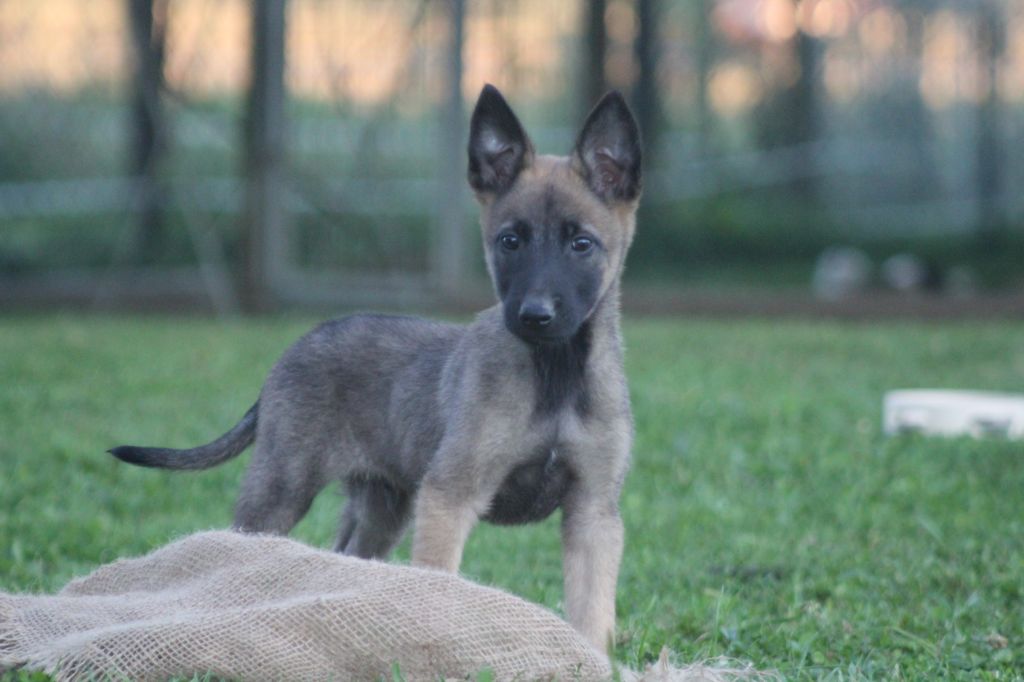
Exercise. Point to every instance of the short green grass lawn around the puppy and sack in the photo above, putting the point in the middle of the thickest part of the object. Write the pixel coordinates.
(767, 517)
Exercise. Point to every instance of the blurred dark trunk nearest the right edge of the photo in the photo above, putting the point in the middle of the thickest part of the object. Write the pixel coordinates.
(992, 38)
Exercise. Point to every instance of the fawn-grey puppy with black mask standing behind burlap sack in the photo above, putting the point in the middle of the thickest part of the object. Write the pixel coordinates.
(525, 411)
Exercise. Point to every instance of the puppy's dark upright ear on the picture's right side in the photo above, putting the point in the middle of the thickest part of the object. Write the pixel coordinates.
(609, 151)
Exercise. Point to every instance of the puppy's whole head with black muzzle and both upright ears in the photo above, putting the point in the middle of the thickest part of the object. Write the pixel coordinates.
(546, 250)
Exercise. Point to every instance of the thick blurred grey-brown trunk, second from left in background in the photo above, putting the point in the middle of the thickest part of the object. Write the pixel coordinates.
(265, 227)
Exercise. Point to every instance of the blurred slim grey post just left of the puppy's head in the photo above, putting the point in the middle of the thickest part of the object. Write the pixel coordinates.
(450, 231)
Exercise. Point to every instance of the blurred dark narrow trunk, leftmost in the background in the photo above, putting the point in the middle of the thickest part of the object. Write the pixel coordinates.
(149, 23)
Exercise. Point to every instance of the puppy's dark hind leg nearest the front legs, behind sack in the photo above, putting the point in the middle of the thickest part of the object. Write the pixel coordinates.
(374, 520)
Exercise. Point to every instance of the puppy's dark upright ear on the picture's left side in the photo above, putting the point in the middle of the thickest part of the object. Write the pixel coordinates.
(499, 148)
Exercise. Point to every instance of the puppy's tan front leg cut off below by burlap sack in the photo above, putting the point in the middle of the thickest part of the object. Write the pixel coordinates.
(442, 528)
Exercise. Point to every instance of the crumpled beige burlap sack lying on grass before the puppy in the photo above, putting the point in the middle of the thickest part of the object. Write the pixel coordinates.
(270, 609)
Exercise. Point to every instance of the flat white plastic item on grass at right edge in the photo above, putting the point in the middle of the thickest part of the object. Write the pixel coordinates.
(949, 413)
